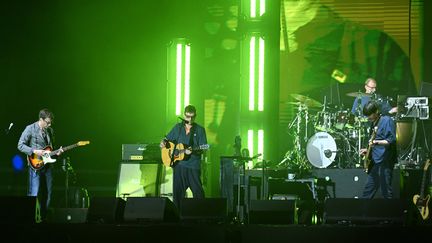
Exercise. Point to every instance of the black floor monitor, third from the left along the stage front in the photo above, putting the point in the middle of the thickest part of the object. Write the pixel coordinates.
(106, 210)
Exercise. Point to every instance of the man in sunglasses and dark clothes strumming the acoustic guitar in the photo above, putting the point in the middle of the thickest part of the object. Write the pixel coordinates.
(187, 172)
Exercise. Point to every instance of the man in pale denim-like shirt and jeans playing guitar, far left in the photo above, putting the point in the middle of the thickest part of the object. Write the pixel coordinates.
(33, 140)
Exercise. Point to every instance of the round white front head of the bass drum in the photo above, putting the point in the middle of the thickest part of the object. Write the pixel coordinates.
(321, 150)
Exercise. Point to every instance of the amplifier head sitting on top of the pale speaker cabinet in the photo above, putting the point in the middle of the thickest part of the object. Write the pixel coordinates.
(141, 152)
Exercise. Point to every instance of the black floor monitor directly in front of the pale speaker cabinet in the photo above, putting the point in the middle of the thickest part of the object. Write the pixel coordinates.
(150, 209)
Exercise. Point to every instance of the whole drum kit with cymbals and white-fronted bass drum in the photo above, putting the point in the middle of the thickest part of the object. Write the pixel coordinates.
(328, 136)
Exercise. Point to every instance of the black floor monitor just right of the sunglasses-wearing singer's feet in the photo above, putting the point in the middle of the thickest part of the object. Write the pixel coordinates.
(206, 210)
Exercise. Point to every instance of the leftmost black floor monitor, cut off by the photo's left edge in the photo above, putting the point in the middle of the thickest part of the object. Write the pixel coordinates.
(19, 209)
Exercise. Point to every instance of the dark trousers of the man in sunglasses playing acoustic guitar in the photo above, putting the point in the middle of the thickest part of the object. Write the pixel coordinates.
(183, 179)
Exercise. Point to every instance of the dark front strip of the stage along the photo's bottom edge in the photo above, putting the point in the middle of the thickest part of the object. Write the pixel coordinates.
(164, 232)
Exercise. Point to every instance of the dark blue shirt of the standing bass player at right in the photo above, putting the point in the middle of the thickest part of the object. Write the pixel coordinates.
(386, 131)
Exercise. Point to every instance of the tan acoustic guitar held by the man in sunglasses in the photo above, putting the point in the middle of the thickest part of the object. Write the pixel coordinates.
(172, 153)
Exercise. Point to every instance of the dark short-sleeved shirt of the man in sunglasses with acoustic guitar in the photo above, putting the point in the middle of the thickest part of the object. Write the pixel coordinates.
(178, 135)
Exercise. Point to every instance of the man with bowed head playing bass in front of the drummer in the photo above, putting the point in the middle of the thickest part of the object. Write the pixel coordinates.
(383, 153)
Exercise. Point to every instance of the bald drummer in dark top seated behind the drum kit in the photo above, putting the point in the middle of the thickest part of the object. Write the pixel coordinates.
(370, 93)
